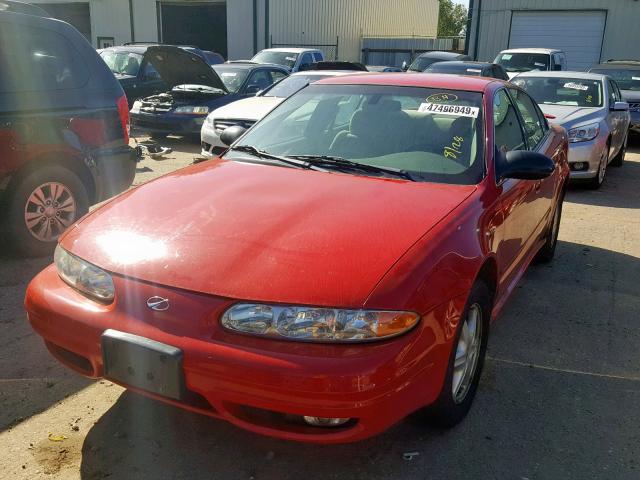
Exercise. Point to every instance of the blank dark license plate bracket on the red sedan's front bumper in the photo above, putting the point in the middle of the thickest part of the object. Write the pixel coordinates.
(143, 363)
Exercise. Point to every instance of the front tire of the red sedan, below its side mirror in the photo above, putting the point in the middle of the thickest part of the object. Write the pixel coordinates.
(450, 408)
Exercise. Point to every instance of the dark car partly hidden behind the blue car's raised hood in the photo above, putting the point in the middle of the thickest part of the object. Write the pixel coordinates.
(137, 74)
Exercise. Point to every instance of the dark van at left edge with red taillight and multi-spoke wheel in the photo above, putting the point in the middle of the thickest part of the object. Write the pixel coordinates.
(64, 140)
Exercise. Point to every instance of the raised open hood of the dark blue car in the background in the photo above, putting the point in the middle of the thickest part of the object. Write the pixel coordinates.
(179, 67)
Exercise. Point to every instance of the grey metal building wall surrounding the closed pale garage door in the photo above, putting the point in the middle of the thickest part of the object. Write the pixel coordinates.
(621, 36)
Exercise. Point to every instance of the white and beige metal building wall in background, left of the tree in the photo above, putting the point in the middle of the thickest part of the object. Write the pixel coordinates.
(290, 22)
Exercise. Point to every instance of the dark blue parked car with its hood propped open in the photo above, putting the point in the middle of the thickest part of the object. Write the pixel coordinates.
(194, 90)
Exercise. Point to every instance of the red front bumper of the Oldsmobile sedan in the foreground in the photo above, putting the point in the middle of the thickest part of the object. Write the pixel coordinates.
(257, 384)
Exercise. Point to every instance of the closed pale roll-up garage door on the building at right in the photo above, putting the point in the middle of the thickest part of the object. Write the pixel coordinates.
(579, 33)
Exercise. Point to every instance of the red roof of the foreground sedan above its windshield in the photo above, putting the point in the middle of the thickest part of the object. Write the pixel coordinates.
(431, 80)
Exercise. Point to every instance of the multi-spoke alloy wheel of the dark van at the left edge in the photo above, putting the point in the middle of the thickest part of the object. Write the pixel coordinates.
(49, 211)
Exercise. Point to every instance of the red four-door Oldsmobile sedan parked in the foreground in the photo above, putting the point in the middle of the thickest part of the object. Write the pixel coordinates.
(337, 269)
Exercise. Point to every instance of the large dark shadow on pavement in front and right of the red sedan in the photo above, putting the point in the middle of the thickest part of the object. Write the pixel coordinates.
(527, 421)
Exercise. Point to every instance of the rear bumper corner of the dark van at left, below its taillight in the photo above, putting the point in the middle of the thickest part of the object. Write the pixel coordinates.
(114, 171)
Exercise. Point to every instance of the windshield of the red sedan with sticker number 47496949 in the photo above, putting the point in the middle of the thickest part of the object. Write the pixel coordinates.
(429, 134)
